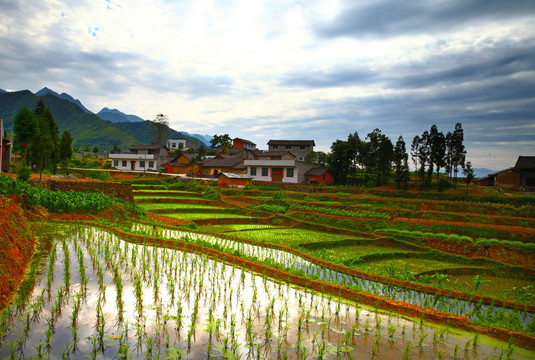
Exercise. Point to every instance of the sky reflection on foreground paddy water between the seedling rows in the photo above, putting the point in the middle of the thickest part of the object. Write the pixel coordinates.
(254, 294)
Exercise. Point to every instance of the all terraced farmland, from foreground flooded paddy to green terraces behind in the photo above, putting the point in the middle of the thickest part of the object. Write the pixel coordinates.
(269, 273)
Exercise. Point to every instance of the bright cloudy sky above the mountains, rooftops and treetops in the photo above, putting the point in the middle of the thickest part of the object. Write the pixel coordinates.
(289, 69)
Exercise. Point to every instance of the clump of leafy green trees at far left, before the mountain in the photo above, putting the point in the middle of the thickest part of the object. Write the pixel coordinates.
(37, 139)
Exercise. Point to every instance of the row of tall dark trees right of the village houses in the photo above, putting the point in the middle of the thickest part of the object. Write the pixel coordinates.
(375, 160)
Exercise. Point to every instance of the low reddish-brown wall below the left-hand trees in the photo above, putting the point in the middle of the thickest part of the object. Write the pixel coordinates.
(122, 191)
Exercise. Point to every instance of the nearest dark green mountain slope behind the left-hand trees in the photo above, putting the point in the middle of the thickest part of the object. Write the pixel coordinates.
(86, 129)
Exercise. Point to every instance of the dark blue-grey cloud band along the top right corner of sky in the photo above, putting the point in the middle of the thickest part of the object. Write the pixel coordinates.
(383, 18)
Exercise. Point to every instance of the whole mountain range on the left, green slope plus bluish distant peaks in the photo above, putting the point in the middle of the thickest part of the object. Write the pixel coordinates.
(85, 127)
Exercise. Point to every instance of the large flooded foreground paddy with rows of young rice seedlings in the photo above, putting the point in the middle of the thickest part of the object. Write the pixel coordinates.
(97, 296)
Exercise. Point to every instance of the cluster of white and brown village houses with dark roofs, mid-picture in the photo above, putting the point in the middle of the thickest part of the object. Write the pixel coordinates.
(283, 162)
